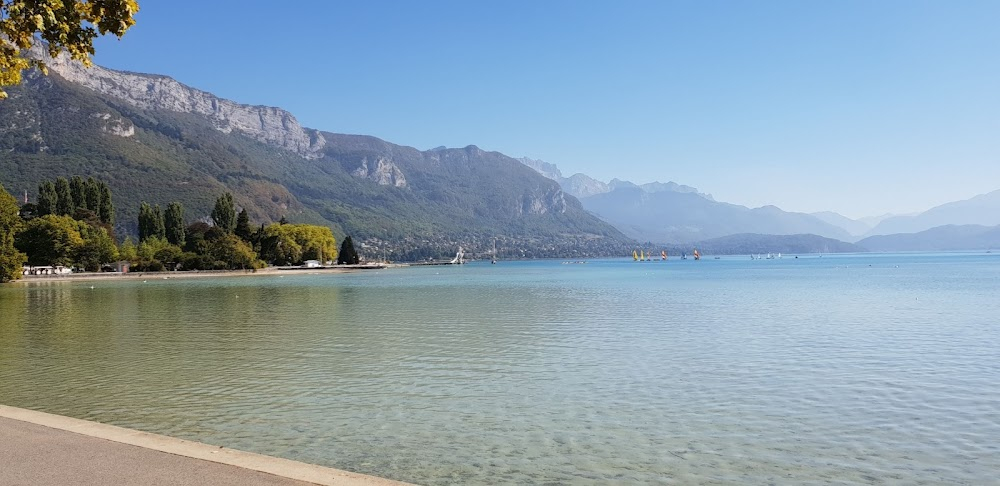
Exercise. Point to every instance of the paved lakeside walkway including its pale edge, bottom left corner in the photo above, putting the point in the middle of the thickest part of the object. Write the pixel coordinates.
(41, 449)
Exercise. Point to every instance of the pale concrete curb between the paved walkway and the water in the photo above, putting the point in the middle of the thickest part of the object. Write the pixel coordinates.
(247, 460)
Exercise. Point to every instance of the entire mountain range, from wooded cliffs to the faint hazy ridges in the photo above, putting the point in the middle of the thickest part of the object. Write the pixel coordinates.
(154, 139)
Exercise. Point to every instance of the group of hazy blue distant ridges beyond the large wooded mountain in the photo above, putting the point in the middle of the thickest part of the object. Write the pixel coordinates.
(675, 213)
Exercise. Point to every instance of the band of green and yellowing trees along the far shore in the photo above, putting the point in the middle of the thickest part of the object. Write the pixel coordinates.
(72, 226)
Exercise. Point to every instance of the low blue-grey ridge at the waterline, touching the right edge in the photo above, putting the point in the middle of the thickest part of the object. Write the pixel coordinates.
(941, 238)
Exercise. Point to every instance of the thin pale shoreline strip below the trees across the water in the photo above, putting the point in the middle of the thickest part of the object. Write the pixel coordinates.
(170, 275)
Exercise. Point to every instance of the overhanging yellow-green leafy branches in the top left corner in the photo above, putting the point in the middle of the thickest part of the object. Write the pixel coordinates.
(64, 25)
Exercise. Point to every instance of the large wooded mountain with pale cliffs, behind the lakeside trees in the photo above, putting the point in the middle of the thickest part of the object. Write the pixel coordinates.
(154, 139)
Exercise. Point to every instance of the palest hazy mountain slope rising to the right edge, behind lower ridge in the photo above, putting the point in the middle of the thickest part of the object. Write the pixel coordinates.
(983, 209)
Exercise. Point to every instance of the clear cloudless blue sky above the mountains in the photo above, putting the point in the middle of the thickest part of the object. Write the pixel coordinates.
(861, 107)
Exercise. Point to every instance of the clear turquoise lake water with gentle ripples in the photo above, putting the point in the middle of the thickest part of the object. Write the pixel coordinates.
(840, 369)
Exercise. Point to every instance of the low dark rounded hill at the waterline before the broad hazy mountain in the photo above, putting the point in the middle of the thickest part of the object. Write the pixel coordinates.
(761, 244)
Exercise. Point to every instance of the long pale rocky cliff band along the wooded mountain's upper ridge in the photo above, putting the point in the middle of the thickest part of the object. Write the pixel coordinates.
(272, 126)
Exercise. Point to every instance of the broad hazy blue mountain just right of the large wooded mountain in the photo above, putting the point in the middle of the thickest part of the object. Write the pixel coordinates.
(685, 217)
